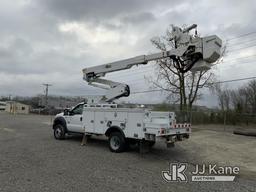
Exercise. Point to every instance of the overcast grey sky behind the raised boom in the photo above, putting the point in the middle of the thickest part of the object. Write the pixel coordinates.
(51, 41)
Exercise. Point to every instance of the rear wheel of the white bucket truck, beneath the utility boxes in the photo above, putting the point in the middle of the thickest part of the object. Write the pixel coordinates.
(116, 142)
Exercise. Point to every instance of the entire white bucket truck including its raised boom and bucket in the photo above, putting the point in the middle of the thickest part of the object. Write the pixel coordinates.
(100, 116)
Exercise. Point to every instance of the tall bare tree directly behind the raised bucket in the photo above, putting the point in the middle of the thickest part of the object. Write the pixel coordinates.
(183, 88)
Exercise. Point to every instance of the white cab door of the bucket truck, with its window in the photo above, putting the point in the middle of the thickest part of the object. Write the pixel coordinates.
(75, 119)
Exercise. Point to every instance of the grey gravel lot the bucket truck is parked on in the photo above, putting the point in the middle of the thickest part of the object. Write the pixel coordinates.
(32, 160)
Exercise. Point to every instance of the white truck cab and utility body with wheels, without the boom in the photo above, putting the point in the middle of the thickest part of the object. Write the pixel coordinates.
(133, 125)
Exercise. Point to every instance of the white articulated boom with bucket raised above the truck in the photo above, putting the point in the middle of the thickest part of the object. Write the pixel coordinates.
(191, 53)
